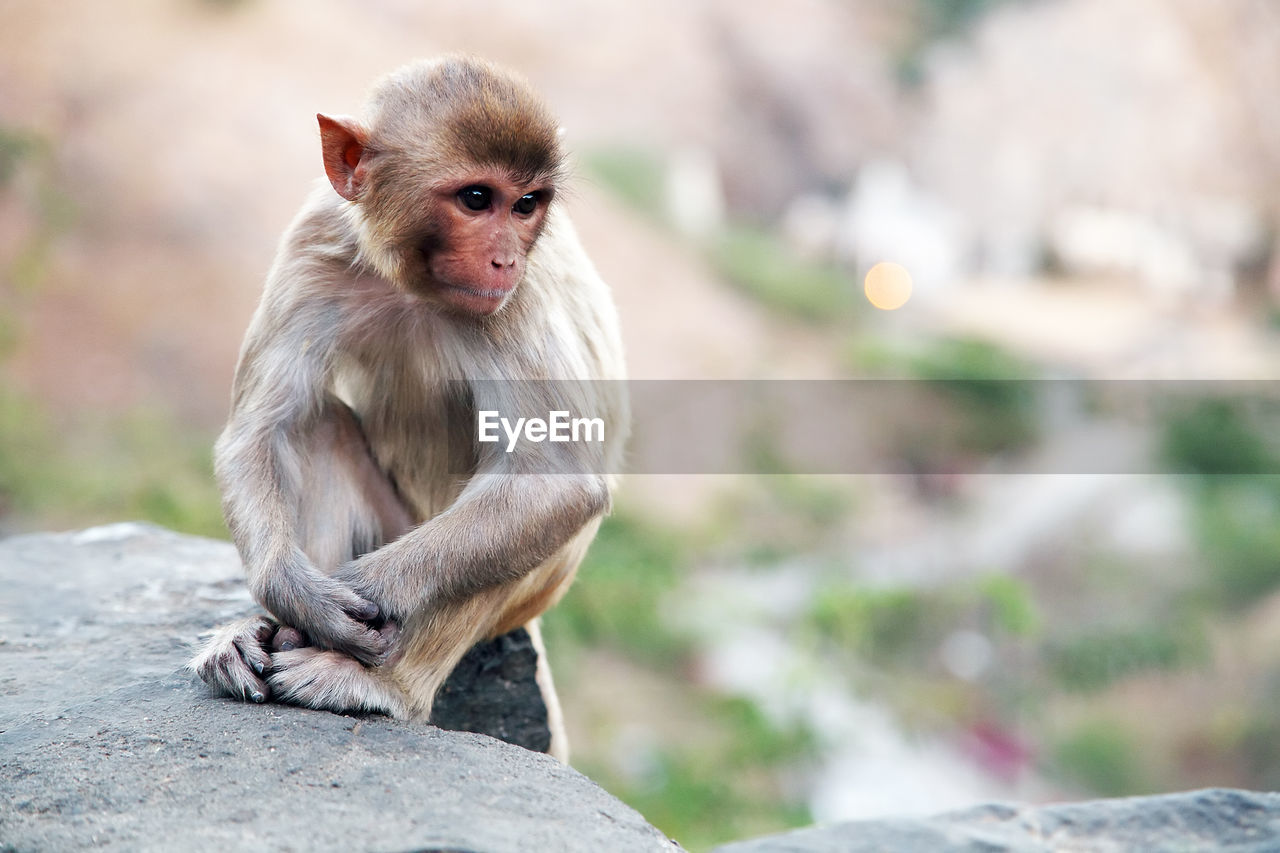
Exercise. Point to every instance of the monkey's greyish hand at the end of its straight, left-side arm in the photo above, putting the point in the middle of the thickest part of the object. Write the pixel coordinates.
(327, 612)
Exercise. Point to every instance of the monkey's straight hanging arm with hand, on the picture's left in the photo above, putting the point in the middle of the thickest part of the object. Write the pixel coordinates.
(262, 462)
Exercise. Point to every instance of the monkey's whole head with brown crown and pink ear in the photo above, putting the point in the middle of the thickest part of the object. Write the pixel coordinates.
(450, 180)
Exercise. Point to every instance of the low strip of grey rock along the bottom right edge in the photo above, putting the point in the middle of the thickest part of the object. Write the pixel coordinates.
(1214, 820)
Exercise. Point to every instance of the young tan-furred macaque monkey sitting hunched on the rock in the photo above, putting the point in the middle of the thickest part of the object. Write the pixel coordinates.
(435, 276)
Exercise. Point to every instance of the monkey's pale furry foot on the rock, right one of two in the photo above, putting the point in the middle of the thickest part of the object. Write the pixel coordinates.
(332, 682)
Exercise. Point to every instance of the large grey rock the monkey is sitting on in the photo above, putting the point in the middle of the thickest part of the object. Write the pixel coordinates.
(107, 741)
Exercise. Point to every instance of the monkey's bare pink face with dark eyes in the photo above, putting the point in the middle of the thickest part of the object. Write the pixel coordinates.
(487, 227)
